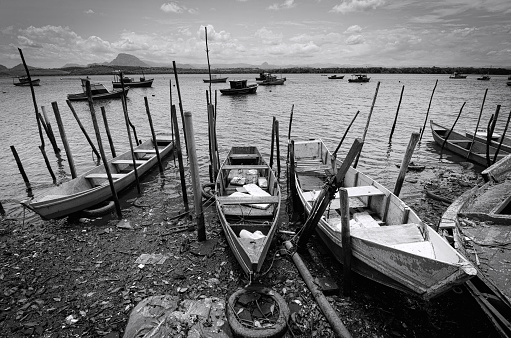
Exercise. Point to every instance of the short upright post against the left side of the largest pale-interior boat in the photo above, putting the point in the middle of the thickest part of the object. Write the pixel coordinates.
(346, 241)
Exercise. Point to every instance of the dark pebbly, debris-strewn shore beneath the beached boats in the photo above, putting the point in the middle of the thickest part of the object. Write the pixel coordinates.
(82, 277)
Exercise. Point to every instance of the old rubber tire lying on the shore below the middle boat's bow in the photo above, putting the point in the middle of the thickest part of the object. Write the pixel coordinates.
(277, 330)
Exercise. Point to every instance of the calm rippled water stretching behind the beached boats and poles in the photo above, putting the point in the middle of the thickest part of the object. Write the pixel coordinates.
(322, 108)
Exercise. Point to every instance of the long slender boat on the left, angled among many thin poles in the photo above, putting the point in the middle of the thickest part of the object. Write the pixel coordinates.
(92, 187)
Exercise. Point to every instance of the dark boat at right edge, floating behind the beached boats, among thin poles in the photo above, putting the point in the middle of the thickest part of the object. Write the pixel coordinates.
(462, 145)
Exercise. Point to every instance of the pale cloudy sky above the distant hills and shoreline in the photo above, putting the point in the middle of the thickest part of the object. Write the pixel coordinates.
(389, 33)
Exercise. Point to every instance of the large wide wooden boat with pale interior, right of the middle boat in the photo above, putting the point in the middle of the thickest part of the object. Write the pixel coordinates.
(390, 243)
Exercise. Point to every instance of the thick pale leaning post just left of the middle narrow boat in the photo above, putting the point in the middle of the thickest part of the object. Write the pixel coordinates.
(194, 169)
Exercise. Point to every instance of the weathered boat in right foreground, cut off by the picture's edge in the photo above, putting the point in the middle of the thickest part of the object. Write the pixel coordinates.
(478, 225)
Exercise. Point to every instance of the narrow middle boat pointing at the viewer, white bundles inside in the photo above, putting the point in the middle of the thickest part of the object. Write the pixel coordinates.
(248, 205)
